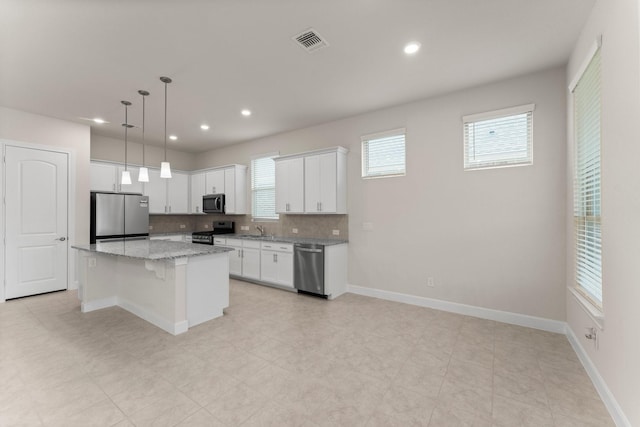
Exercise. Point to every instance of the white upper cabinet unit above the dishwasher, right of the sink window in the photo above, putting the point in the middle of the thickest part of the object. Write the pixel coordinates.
(321, 174)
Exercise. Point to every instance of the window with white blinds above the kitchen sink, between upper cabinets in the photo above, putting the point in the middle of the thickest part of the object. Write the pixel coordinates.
(263, 187)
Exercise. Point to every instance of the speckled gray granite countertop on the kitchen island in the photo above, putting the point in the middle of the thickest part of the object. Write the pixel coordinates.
(151, 249)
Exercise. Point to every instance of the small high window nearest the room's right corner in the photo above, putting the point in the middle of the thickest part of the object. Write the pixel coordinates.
(498, 138)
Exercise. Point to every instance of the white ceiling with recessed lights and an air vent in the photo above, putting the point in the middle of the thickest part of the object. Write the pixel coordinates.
(77, 59)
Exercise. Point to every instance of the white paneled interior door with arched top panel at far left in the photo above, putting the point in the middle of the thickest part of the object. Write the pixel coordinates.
(36, 246)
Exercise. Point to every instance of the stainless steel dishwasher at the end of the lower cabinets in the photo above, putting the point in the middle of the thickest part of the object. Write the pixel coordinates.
(308, 268)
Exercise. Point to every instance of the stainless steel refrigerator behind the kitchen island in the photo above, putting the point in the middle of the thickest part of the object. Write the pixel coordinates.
(118, 216)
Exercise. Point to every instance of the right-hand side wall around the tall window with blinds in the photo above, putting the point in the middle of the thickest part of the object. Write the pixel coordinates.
(617, 358)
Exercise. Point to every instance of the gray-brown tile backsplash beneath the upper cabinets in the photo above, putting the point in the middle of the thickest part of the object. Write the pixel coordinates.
(317, 226)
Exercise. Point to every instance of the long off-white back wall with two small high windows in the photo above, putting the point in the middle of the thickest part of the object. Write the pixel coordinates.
(491, 238)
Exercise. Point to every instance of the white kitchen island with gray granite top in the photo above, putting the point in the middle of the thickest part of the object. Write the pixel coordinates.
(172, 285)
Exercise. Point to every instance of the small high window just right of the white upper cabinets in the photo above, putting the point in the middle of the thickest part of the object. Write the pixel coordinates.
(383, 154)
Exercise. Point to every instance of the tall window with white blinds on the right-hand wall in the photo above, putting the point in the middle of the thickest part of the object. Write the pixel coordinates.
(586, 196)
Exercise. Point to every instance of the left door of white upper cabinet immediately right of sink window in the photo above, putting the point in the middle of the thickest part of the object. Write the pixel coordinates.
(290, 185)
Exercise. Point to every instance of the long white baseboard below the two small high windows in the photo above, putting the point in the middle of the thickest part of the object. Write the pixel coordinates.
(464, 309)
